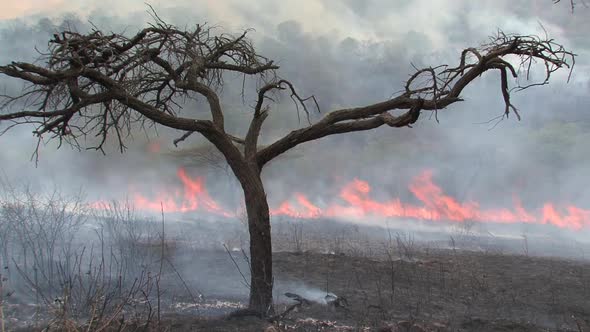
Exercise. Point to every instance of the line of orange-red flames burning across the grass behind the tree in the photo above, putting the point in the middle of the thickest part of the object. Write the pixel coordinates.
(354, 202)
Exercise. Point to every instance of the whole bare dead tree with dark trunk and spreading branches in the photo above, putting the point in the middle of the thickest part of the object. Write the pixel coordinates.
(107, 84)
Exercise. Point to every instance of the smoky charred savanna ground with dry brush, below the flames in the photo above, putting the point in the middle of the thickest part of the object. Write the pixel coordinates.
(348, 277)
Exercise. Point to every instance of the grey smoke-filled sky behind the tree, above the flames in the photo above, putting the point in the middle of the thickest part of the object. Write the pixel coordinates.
(359, 53)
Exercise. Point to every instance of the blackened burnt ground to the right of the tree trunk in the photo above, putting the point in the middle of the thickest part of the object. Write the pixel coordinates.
(448, 290)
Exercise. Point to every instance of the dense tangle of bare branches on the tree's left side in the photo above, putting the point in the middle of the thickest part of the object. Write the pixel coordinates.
(147, 73)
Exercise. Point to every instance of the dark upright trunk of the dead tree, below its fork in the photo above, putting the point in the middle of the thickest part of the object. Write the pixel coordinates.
(261, 280)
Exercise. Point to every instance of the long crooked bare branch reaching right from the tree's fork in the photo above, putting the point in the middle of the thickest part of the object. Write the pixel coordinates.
(443, 88)
